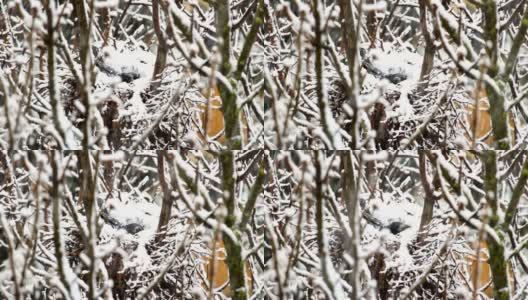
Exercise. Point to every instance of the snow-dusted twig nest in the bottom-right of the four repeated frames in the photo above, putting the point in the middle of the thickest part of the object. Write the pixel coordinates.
(430, 271)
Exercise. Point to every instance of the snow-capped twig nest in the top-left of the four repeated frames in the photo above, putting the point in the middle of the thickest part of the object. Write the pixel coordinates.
(132, 108)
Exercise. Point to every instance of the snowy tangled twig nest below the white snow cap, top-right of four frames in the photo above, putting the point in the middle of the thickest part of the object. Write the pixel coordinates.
(403, 112)
